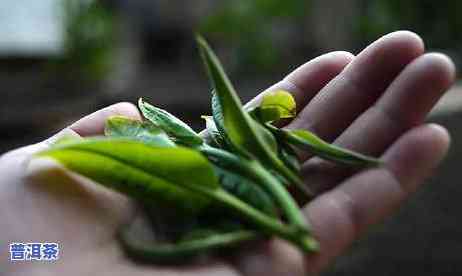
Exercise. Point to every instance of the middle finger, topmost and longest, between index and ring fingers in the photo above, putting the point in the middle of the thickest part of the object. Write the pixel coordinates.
(359, 85)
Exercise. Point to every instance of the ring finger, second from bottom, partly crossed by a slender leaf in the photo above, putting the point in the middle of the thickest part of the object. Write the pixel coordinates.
(405, 104)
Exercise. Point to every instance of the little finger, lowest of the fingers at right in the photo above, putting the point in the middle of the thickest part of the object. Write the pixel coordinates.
(340, 215)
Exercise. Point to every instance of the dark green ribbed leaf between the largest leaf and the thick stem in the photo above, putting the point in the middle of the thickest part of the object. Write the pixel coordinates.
(246, 190)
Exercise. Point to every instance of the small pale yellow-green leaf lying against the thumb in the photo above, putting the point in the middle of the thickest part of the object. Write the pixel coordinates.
(120, 126)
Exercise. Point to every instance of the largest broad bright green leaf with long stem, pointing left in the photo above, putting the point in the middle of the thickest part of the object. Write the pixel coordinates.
(176, 177)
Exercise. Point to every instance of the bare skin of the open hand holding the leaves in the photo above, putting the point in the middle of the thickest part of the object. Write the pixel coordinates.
(374, 103)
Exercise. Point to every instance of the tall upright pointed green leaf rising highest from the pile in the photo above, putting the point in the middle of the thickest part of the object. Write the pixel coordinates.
(250, 138)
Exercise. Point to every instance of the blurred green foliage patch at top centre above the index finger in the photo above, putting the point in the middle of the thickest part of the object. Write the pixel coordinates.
(248, 25)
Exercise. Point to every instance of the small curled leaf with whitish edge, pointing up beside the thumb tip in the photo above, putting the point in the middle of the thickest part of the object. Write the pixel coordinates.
(174, 127)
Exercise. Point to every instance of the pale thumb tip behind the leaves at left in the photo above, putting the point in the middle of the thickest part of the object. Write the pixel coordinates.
(93, 124)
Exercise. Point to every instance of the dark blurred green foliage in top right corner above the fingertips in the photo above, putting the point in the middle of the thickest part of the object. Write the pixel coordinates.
(438, 22)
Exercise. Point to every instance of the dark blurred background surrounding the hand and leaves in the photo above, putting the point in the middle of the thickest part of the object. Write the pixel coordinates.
(62, 59)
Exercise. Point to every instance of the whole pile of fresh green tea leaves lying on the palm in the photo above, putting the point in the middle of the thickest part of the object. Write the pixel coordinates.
(210, 190)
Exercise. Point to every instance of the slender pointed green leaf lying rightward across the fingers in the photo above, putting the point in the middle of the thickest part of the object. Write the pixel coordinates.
(306, 140)
